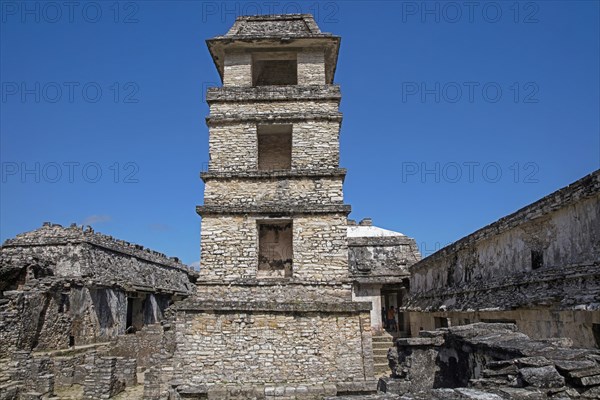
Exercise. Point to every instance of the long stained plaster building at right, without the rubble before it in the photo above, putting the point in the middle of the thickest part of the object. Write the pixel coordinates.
(538, 267)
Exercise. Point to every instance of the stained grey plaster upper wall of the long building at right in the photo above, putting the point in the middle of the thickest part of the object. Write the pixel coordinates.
(568, 234)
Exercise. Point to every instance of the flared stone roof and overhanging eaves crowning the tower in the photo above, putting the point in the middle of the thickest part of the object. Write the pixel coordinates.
(261, 35)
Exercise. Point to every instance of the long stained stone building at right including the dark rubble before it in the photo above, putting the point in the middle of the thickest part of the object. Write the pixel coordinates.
(515, 307)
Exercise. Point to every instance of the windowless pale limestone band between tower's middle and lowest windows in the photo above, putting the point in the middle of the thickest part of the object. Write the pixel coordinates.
(239, 192)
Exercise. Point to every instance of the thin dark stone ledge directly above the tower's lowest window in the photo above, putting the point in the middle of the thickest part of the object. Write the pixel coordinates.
(282, 210)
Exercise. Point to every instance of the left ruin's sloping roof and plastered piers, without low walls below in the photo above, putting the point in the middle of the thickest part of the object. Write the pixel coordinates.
(70, 286)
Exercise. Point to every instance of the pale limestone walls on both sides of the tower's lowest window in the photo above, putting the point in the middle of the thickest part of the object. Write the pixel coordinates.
(230, 248)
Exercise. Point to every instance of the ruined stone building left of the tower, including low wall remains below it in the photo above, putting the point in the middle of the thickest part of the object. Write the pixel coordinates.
(65, 294)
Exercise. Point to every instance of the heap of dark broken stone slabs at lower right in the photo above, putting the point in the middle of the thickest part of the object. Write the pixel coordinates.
(494, 358)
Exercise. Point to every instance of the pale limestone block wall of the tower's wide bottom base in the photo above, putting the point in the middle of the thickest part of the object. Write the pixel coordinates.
(284, 348)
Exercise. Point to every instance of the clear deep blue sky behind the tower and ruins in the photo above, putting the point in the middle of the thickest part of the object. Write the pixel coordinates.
(454, 115)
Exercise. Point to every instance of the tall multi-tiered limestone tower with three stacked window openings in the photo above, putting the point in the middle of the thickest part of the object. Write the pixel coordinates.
(273, 308)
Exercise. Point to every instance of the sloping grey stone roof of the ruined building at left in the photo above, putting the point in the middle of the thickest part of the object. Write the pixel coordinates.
(79, 252)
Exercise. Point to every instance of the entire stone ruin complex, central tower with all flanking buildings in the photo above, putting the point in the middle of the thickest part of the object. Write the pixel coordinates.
(287, 304)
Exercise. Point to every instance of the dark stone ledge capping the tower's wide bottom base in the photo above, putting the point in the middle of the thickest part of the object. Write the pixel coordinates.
(296, 306)
